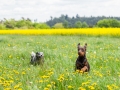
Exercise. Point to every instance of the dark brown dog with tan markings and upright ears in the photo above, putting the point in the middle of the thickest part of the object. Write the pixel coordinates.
(81, 62)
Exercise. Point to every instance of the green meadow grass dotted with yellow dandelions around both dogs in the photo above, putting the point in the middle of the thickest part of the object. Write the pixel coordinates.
(57, 73)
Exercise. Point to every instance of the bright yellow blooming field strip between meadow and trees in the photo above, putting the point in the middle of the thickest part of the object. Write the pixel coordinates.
(87, 31)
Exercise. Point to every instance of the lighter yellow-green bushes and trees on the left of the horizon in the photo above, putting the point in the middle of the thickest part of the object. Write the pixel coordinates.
(22, 24)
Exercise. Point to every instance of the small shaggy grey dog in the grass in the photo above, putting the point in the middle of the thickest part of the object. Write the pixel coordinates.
(37, 58)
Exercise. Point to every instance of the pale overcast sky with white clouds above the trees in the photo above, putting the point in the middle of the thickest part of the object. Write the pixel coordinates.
(43, 9)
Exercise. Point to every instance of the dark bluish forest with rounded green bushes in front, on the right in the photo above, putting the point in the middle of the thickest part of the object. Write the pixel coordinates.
(84, 22)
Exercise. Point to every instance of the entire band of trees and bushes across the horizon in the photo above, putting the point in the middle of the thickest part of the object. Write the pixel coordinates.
(64, 21)
